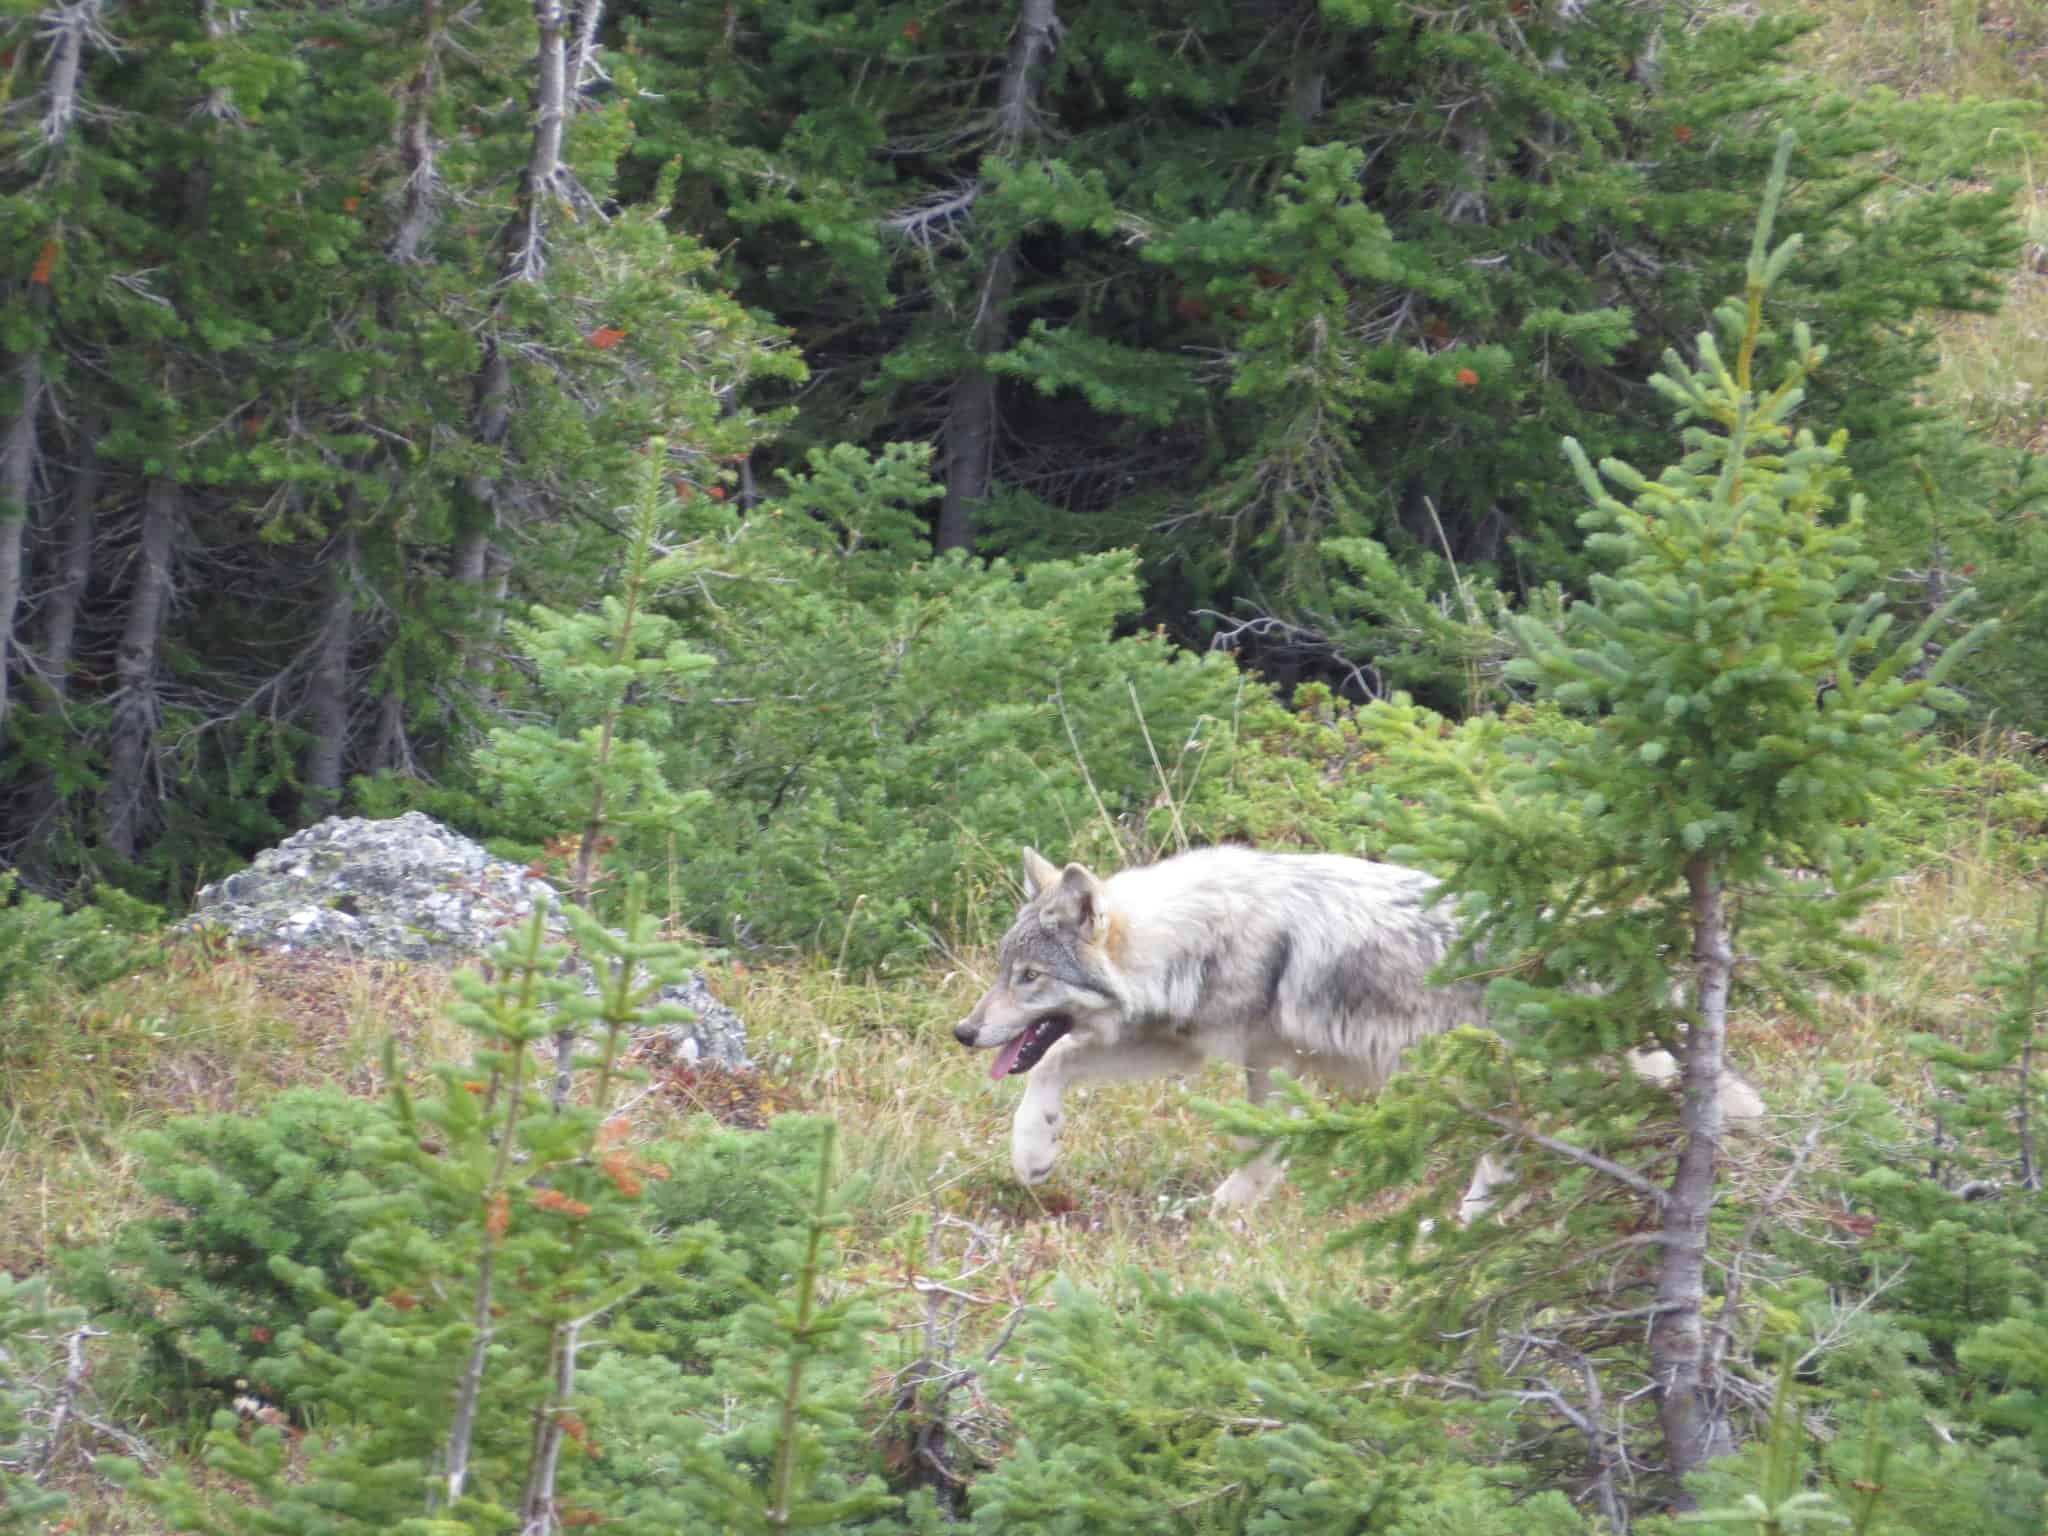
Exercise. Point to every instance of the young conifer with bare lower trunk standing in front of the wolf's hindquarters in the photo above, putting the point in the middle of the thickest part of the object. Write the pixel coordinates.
(1725, 708)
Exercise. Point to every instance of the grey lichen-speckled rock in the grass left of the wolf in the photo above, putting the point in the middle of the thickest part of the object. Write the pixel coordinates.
(411, 890)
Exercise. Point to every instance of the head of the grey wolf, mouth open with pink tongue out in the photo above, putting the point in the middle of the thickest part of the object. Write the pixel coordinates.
(1054, 974)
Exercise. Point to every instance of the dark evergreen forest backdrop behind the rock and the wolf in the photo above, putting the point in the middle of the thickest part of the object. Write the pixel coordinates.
(341, 331)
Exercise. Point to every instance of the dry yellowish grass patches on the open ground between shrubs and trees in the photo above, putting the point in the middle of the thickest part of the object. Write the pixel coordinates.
(923, 1125)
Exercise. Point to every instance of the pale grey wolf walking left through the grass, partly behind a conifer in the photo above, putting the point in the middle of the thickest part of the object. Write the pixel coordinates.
(1314, 964)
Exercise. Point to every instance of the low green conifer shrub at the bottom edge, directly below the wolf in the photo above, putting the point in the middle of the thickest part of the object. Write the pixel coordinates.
(1230, 1414)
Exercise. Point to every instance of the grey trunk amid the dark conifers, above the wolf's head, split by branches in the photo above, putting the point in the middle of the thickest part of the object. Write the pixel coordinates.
(972, 419)
